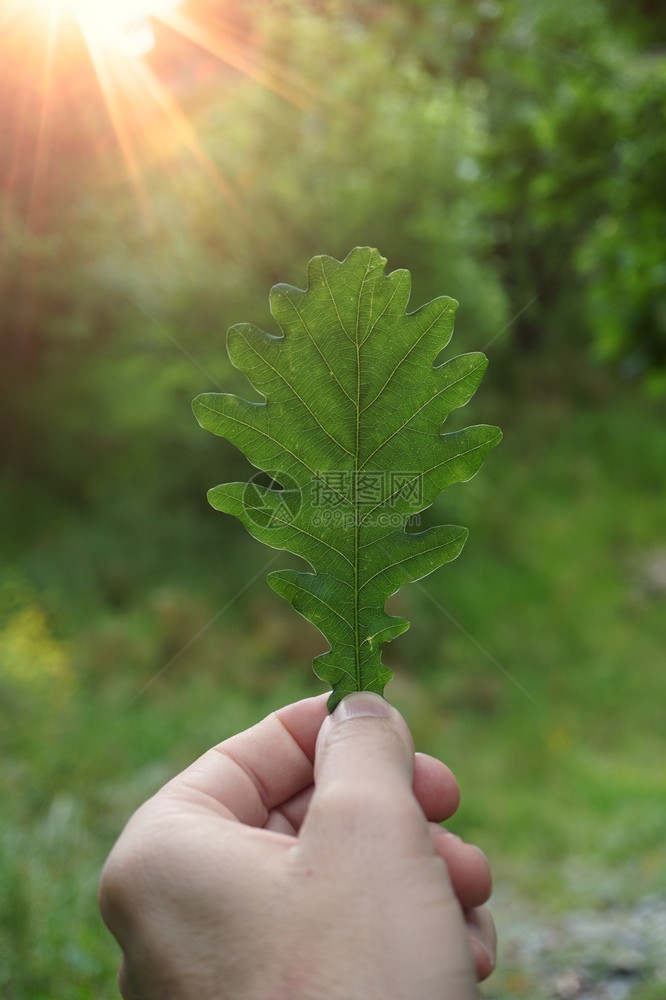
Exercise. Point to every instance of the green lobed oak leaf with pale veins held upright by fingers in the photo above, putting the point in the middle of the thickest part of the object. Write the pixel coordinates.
(351, 434)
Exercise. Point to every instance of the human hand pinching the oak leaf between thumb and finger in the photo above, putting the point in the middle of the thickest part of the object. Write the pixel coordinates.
(257, 874)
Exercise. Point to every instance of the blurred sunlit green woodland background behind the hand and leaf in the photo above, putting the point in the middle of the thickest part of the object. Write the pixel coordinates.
(161, 166)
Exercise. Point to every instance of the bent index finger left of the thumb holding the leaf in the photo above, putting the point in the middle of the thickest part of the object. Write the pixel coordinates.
(248, 775)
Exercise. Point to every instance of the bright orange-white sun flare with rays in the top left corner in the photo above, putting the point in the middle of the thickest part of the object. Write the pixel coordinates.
(77, 51)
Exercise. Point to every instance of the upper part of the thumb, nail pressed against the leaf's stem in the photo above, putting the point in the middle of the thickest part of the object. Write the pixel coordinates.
(364, 763)
